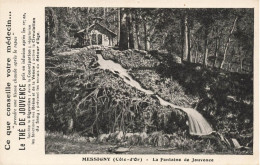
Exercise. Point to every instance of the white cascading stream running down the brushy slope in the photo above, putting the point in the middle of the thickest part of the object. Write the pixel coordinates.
(198, 125)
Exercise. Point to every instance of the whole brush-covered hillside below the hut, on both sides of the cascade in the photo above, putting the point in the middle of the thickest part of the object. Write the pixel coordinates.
(87, 102)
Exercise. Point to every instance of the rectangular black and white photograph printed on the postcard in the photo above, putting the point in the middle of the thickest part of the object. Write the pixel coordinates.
(172, 81)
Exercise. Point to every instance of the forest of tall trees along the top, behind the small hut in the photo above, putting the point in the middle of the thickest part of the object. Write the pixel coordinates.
(209, 33)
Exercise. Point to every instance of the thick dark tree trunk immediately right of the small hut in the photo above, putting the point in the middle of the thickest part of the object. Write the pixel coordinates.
(123, 42)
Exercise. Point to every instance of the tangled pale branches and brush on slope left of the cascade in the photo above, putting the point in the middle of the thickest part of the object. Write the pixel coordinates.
(78, 98)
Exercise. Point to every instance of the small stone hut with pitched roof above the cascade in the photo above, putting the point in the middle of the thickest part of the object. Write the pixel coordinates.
(96, 34)
